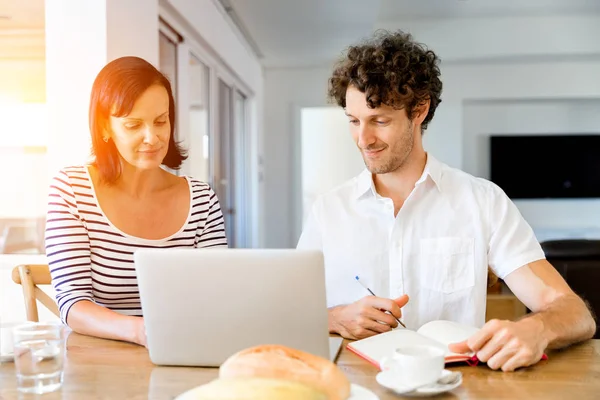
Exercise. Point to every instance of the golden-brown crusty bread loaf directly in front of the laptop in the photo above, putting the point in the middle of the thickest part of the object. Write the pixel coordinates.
(280, 362)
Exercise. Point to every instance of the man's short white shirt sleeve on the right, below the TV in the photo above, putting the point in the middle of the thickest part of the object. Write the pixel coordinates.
(512, 241)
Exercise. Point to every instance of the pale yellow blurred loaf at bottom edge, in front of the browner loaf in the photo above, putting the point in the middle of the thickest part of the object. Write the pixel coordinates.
(253, 389)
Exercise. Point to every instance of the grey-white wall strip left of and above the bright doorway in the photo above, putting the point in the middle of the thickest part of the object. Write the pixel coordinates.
(286, 92)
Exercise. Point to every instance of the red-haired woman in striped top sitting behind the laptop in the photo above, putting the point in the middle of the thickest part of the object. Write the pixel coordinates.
(99, 214)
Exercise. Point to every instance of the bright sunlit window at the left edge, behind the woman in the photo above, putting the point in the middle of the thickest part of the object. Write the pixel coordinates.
(24, 181)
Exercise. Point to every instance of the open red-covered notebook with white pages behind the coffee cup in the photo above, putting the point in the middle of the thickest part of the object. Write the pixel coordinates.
(435, 333)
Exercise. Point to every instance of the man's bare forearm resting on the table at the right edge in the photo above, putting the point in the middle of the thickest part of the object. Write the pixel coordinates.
(565, 321)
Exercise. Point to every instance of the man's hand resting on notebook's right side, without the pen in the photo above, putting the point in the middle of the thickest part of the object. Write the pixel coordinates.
(506, 345)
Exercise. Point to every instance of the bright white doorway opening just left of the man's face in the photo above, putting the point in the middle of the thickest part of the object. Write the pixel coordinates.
(329, 154)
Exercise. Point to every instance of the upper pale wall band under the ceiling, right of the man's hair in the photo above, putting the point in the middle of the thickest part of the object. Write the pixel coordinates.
(459, 39)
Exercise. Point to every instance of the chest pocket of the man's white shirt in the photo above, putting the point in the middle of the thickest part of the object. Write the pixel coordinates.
(447, 263)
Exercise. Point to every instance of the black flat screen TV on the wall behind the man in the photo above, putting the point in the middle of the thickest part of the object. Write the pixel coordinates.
(546, 166)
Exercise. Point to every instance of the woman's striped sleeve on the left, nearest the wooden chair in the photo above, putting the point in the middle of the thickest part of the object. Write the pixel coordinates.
(67, 247)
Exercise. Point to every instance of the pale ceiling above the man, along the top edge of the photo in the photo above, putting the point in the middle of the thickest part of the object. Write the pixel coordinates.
(311, 32)
